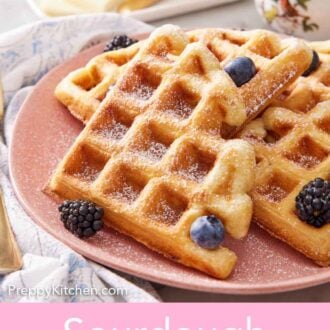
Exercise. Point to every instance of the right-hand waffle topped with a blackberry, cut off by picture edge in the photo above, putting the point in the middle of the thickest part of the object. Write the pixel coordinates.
(292, 143)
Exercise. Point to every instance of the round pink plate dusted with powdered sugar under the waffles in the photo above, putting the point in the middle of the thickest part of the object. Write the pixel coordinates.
(43, 133)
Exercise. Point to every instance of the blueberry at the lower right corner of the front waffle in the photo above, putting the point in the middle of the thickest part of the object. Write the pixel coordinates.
(208, 232)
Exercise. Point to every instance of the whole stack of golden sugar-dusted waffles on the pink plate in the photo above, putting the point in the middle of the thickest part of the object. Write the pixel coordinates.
(160, 147)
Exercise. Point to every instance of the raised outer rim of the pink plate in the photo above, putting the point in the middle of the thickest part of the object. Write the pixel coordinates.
(234, 288)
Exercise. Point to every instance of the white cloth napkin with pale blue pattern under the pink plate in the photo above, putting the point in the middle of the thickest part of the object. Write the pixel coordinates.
(53, 272)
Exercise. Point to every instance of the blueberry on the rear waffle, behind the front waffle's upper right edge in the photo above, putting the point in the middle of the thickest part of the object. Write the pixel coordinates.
(241, 70)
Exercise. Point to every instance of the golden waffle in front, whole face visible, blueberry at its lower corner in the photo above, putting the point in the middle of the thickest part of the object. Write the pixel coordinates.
(154, 175)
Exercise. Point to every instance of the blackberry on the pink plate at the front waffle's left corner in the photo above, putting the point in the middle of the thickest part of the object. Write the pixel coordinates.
(81, 218)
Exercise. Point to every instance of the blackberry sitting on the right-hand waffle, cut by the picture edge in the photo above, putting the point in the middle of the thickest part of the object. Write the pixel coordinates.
(313, 203)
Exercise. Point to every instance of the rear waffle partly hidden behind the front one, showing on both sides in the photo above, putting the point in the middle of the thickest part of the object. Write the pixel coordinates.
(279, 62)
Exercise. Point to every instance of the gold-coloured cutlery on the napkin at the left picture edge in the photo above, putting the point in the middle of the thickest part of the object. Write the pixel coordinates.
(10, 256)
